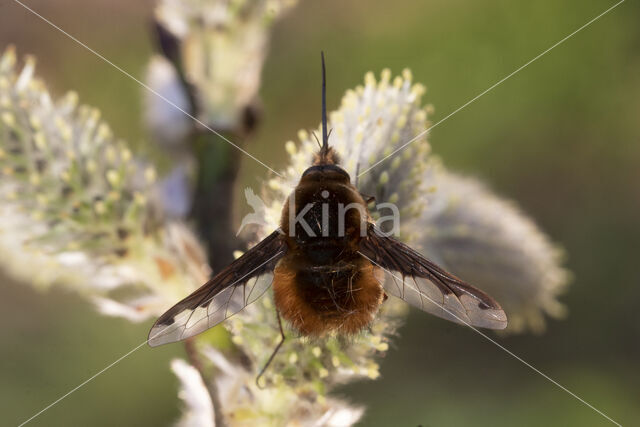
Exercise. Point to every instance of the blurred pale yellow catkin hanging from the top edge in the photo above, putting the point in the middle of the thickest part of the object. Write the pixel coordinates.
(223, 45)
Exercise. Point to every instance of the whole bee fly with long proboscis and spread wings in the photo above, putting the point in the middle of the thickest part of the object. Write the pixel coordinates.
(330, 268)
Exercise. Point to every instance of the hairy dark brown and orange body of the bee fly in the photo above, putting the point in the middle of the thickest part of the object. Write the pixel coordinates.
(323, 284)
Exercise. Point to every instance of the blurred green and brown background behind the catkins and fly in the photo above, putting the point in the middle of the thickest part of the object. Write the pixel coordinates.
(562, 138)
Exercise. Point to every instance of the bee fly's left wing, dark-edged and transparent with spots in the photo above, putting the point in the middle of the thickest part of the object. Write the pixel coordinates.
(231, 290)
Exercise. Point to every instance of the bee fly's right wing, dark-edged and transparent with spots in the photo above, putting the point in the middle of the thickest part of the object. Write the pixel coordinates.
(423, 284)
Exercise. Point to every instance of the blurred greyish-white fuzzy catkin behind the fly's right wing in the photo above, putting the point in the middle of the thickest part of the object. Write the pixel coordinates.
(490, 242)
